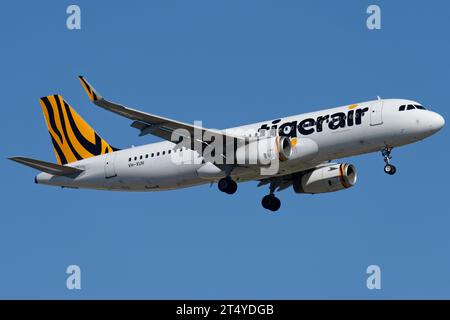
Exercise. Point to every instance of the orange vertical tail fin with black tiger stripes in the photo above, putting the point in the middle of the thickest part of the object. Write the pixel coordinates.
(73, 139)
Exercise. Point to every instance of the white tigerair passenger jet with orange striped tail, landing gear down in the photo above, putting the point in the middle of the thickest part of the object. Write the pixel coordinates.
(302, 147)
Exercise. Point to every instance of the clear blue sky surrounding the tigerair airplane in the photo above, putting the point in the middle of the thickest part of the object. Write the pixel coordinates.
(226, 63)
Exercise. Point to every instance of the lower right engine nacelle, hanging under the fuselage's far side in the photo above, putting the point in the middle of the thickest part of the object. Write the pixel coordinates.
(329, 178)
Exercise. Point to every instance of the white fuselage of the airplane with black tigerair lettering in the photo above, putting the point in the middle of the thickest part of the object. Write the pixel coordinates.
(151, 167)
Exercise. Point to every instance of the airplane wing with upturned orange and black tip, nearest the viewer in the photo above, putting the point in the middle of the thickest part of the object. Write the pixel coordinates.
(152, 124)
